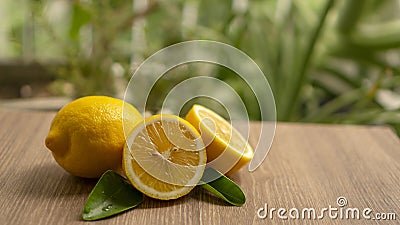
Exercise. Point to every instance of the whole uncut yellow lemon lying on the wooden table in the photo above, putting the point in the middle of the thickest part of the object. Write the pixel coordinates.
(86, 136)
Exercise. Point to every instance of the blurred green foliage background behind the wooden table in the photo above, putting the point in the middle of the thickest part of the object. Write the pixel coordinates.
(327, 61)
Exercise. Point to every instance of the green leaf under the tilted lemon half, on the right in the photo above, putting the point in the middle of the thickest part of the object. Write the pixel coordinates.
(222, 187)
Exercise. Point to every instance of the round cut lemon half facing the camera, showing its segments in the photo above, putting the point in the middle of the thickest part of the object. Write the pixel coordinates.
(164, 157)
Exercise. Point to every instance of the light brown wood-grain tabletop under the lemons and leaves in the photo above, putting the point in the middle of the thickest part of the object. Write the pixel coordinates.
(309, 166)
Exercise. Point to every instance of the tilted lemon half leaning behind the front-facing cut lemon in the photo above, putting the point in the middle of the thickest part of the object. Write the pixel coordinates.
(227, 150)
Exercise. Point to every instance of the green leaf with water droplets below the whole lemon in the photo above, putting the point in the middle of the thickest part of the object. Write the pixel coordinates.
(112, 194)
